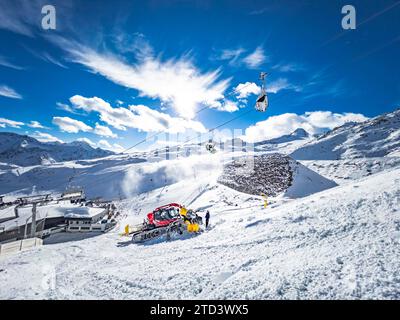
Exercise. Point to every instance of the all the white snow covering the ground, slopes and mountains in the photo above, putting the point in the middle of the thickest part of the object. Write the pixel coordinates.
(333, 233)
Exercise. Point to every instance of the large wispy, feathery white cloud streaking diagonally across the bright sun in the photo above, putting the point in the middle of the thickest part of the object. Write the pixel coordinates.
(176, 82)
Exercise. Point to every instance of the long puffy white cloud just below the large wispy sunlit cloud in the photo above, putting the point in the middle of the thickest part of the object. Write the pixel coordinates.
(138, 117)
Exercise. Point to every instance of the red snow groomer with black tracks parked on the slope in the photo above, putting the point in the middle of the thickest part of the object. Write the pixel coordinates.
(167, 220)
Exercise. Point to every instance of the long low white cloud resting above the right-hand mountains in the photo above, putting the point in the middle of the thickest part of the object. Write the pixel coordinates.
(312, 122)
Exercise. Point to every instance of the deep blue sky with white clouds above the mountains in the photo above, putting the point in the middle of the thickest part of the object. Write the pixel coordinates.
(113, 73)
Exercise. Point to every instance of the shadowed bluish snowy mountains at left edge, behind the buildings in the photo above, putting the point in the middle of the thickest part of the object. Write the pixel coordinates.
(27, 151)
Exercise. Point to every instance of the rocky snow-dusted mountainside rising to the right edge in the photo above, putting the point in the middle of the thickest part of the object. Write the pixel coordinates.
(377, 137)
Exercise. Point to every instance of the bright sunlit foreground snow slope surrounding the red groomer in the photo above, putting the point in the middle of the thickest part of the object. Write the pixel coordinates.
(341, 243)
